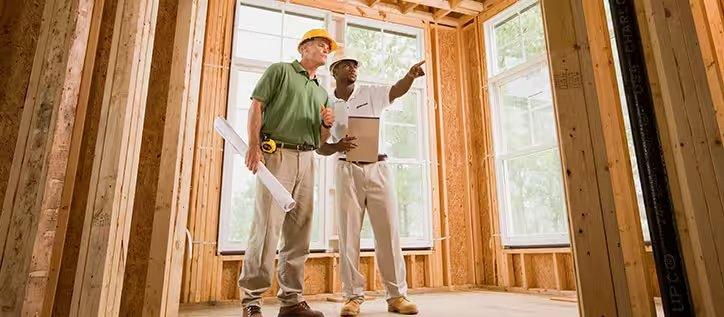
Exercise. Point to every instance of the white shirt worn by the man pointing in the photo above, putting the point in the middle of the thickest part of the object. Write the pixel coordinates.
(365, 101)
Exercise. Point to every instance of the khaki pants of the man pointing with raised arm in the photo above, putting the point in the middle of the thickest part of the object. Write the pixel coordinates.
(369, 187)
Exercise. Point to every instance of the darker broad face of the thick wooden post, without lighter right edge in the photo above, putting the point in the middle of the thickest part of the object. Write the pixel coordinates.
(583, 146)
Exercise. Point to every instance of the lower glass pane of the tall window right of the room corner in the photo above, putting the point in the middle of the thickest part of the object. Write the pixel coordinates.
(535, 199)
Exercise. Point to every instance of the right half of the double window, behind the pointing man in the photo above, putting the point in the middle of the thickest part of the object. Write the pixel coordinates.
(386, 54)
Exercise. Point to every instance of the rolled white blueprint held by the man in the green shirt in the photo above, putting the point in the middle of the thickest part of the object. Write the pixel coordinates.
(281, 196)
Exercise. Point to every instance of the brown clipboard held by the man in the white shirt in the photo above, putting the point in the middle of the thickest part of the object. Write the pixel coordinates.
(367, 132)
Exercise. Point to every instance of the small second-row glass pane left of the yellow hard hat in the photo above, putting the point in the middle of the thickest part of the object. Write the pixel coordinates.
(264, 48)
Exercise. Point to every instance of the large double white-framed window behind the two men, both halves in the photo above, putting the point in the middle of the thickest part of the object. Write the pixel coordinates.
(275, 29)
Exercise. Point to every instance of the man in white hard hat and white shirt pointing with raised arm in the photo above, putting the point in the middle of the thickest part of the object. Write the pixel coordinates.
(366, 186)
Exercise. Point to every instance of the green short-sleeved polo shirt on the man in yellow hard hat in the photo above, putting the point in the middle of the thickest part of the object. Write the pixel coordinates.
(292, 104)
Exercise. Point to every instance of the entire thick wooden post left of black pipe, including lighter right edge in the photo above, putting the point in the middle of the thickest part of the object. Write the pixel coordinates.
(588, 148)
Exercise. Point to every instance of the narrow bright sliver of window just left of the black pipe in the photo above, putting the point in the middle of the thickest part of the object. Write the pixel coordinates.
(627, 124)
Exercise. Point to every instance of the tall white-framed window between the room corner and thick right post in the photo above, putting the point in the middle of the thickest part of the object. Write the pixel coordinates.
(528, 168)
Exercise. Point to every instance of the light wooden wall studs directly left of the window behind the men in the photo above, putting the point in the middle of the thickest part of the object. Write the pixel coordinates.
(201, 278)
